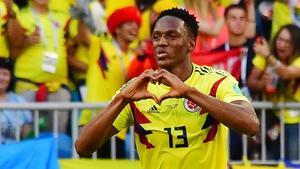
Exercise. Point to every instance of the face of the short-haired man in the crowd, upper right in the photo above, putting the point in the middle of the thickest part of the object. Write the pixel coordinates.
(236, 21)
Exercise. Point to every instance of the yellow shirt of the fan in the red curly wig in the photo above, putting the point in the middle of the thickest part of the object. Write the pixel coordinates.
(106, 72)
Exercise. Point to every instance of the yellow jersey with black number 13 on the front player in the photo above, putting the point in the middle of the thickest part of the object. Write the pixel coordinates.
(178, 133)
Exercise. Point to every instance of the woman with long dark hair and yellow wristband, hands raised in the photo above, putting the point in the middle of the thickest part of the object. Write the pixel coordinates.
(280, 66)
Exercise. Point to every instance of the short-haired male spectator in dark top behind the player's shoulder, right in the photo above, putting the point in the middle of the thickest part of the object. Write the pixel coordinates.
(239, 21)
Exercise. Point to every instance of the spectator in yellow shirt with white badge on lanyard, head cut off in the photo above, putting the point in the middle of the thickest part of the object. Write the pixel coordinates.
(36, 36)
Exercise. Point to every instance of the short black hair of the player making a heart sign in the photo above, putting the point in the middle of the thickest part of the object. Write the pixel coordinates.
(189, 19)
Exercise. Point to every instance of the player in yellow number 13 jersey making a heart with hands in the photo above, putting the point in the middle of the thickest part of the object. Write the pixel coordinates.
(180, 111)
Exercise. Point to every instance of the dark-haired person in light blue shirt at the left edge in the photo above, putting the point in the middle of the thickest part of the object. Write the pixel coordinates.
(8, 121)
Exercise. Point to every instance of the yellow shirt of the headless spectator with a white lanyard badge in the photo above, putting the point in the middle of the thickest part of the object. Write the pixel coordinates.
(30, 64)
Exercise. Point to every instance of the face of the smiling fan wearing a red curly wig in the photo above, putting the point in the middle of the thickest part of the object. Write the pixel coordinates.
(128, 31)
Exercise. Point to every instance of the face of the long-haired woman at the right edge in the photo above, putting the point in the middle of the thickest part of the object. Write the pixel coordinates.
(283, 45)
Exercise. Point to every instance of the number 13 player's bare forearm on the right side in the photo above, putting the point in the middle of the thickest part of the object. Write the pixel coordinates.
(240, 117)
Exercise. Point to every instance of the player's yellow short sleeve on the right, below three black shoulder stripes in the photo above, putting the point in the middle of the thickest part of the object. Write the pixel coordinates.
(229, 90)
